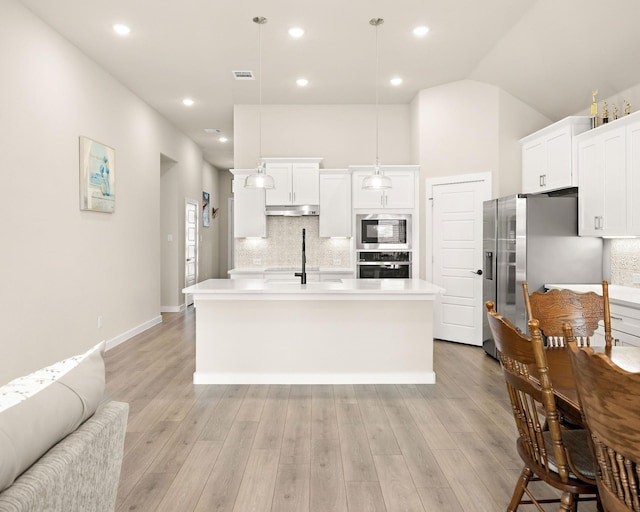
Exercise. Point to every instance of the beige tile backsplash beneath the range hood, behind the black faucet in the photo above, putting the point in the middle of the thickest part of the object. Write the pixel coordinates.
(283, 246)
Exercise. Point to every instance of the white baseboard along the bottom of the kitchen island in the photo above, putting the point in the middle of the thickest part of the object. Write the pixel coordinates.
(323, 378)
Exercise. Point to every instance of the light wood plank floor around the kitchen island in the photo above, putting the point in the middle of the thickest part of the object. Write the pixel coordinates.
(443, 447)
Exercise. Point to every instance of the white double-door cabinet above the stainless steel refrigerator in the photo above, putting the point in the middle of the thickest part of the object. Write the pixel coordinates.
(548, 156)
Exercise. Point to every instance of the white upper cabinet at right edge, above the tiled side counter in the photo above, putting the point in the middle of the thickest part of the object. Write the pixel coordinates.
(608, 162)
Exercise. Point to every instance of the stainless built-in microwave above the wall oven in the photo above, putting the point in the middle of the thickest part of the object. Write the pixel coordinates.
(381, 231)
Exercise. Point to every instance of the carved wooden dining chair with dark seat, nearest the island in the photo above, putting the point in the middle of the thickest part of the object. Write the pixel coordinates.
(561, 458)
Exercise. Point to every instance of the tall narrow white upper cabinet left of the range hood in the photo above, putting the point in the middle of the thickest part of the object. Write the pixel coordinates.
(249, 219)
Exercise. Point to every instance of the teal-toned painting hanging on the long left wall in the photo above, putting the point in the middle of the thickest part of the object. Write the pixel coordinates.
(97, 176)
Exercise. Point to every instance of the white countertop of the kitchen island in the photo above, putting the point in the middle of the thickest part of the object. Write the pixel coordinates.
(345, 289)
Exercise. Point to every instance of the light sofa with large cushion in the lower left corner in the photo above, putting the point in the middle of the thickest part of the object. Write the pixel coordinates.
(61, 442)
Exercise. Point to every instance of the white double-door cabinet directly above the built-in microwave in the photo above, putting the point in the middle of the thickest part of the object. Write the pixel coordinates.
(401, 195)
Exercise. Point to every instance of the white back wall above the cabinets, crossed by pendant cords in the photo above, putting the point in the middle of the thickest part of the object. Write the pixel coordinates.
(341, 134)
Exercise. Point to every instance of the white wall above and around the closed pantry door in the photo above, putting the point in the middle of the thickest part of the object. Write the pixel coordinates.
(469, 127)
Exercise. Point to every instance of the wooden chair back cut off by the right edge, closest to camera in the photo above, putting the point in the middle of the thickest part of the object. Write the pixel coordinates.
(609, 398)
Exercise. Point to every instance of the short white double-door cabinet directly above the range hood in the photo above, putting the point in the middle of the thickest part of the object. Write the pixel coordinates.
(297, 181)
